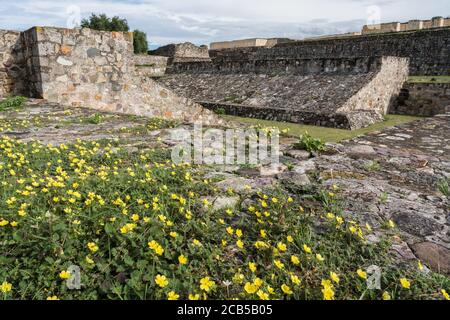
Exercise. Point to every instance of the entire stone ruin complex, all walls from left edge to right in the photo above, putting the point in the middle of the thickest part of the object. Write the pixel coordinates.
(344, 83)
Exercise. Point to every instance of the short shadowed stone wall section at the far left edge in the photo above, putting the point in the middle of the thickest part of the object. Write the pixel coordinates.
(12, 64)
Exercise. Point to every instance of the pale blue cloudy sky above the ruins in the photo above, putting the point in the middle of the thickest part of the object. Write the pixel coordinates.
(205, 21)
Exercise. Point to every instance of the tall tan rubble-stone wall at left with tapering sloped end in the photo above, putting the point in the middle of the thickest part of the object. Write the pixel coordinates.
(94, 69)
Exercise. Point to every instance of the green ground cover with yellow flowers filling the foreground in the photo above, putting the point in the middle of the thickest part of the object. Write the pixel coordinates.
(140, 227)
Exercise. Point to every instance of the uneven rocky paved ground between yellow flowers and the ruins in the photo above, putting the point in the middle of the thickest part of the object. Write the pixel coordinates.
(398, 174)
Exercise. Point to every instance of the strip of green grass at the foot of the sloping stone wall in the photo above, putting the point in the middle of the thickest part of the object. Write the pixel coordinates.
(324, 133)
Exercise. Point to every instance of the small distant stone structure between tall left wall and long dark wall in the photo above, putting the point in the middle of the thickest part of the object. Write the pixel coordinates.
(183, 52)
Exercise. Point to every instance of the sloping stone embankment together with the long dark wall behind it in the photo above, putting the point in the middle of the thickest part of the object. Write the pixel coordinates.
(346, 83)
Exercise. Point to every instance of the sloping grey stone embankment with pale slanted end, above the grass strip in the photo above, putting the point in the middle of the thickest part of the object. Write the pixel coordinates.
(347, 98)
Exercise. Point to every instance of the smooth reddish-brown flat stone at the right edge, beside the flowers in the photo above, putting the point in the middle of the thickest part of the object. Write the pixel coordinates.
(435, 256)
